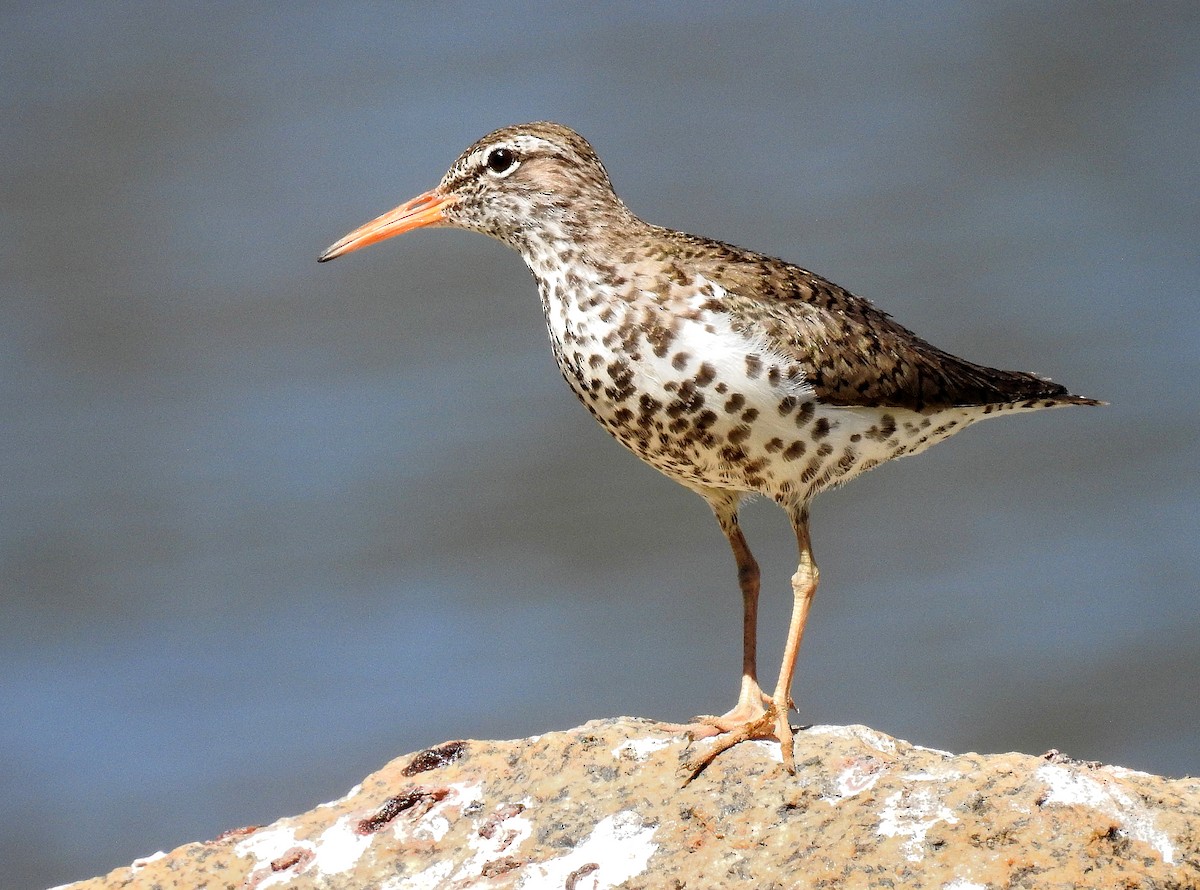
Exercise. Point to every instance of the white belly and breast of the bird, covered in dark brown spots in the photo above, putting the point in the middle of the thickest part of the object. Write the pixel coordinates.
(716, 408)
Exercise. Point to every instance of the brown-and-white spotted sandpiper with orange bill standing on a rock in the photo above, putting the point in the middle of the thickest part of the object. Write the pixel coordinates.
(733, 372)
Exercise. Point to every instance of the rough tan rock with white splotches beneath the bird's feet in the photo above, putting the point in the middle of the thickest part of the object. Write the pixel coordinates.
(607, 805)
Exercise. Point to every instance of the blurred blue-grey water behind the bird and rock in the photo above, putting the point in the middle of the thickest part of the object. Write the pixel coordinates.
(268, 525)
